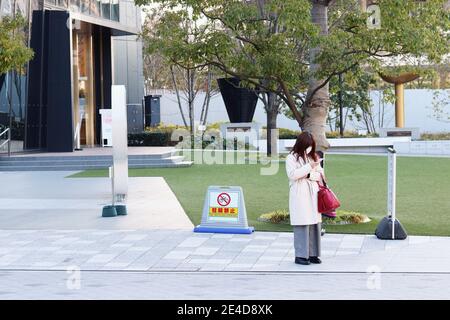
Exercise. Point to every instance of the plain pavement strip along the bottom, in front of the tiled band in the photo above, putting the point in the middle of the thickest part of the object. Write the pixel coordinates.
(220, 286)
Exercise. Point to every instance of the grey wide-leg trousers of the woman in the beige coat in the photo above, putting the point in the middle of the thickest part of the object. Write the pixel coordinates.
(307, 240)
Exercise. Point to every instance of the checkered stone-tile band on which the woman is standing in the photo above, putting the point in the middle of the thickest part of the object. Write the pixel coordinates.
(183, 250)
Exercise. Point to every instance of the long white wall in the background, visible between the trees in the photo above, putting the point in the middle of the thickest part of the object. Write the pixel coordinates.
(417, 112)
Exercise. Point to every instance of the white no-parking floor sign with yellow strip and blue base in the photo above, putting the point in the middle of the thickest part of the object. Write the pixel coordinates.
(224, 211)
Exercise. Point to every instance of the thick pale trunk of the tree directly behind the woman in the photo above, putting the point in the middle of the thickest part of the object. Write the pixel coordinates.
(316, 108)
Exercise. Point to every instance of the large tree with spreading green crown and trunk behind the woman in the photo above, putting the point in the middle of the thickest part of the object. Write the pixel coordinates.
(237, 37)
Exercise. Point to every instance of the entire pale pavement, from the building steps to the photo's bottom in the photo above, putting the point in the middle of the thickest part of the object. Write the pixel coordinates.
(55, 245)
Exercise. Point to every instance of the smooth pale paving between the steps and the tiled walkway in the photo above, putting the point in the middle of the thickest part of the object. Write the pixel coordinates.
(50, 200)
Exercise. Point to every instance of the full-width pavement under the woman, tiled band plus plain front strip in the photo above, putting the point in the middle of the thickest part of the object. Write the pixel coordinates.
(178, 264)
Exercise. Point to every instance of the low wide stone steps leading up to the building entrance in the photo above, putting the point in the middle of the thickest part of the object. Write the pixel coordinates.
(85, 162)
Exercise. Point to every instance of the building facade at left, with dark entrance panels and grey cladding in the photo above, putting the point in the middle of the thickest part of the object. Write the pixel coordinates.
(81, 48)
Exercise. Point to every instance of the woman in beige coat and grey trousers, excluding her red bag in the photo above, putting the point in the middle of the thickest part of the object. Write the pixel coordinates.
(304, 171)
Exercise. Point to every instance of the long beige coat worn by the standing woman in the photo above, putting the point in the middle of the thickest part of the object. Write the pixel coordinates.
(302, 191)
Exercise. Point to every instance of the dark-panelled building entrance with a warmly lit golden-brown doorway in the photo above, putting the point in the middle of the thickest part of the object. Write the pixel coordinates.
(69, 82)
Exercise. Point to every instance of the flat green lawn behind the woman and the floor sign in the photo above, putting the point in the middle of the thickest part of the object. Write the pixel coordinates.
(423, 190)
